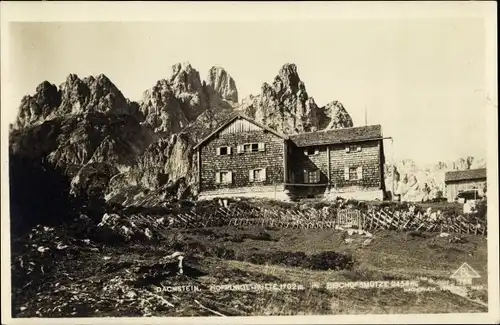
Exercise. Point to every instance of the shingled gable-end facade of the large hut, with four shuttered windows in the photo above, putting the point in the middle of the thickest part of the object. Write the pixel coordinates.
(249, 148)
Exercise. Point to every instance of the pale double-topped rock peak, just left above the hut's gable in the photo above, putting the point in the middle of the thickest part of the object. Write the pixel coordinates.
(184, 99)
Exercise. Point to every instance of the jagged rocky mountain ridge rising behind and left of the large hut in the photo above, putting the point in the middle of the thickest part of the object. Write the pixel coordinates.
(140, 152)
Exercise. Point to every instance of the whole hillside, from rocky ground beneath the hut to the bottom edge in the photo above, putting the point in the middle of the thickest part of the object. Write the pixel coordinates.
(79, 269)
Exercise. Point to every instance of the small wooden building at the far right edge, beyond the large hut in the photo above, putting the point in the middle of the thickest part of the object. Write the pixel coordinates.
(464, 180)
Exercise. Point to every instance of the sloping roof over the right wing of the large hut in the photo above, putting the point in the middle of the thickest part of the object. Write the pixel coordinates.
(345, 135)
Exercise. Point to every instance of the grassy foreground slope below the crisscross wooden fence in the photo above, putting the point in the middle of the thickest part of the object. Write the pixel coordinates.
(88, 278)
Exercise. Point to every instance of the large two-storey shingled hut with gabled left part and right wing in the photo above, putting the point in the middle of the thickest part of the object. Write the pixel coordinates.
(245, 158)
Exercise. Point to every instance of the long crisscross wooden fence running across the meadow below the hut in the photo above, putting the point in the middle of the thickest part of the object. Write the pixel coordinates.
(316, 218)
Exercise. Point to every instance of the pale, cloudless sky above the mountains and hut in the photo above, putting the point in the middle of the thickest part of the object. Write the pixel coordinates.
(422, 79)
